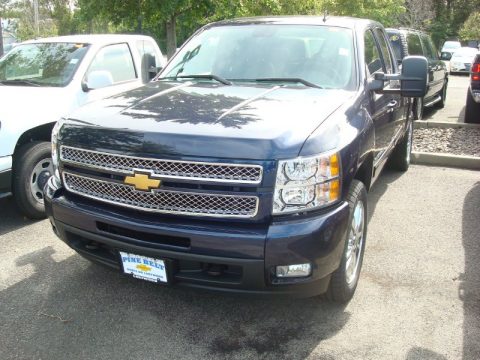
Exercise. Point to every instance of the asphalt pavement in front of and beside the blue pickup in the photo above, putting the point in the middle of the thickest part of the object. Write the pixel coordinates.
(418, 297)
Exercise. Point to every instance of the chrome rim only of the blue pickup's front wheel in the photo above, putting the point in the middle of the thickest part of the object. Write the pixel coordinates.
(355, 243)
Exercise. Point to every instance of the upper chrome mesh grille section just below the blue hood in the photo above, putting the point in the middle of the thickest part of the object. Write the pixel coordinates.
(173, 169)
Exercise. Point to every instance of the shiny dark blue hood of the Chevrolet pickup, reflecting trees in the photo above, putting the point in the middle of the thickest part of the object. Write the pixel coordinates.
(205, 120)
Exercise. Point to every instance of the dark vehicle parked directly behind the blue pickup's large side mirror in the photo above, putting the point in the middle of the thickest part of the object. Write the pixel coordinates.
(407, 42)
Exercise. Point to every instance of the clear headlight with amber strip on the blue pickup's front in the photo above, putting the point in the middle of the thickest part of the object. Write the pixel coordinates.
(307, 183)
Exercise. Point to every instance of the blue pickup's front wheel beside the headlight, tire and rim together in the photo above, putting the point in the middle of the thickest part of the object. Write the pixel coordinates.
(344, 280)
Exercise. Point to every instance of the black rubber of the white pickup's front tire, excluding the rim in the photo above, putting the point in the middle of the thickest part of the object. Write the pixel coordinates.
(27, 157)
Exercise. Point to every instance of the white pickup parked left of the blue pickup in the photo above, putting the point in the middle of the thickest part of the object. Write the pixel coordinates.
(42, 80)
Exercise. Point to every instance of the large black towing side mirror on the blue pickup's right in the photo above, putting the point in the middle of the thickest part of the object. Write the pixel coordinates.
(413, 79)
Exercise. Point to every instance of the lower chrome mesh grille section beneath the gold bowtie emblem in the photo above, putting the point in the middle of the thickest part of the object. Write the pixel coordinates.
(162, 201)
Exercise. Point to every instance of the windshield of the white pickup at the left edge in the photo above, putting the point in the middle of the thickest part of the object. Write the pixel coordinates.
(42, 64)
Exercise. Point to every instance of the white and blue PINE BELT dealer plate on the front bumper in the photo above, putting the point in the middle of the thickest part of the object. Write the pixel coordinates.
(145, 268)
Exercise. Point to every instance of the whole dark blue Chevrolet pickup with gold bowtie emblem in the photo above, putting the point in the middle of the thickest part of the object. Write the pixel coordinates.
(244, 165)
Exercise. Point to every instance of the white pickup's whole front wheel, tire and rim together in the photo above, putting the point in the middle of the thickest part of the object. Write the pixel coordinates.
(32, 168)
